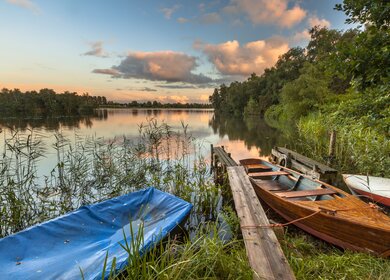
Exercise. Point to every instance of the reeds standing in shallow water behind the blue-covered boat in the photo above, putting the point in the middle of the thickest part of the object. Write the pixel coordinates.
(89, 170)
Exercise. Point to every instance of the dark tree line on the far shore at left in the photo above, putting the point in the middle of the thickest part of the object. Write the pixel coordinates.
(47, 102)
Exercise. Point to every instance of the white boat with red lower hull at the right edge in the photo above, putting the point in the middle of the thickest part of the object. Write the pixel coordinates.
(374, 188)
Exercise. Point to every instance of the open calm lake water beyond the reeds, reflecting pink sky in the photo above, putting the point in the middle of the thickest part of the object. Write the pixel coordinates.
(242, 138)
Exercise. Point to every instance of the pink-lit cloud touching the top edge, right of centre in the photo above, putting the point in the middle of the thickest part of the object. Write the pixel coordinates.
(265, 11)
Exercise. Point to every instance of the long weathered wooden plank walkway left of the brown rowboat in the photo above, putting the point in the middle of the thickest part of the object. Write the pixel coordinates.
(263, 249)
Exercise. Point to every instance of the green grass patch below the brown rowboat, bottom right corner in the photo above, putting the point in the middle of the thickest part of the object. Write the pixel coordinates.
(313, 259)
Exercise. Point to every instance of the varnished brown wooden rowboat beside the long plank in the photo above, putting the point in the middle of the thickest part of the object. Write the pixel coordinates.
(321, 209)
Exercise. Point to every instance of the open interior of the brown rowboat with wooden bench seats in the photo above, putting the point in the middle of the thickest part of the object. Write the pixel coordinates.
(286, 183)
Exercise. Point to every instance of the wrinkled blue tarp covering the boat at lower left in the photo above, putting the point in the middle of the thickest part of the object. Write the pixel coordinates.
(80, 240)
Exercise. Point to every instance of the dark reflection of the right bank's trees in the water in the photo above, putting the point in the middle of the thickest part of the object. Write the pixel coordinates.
(252, 130)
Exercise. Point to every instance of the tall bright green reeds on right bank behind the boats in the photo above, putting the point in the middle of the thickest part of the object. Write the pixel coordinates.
(359, 148)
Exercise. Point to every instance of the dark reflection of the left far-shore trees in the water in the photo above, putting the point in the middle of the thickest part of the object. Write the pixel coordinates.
(53, 123)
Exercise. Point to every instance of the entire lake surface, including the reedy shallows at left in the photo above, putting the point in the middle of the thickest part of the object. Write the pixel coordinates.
(50, 166)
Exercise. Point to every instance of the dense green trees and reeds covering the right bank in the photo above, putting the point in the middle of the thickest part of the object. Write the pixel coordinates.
(338, 82)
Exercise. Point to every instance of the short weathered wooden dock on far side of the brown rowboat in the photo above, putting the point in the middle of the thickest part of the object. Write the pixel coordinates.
(305, 165)
